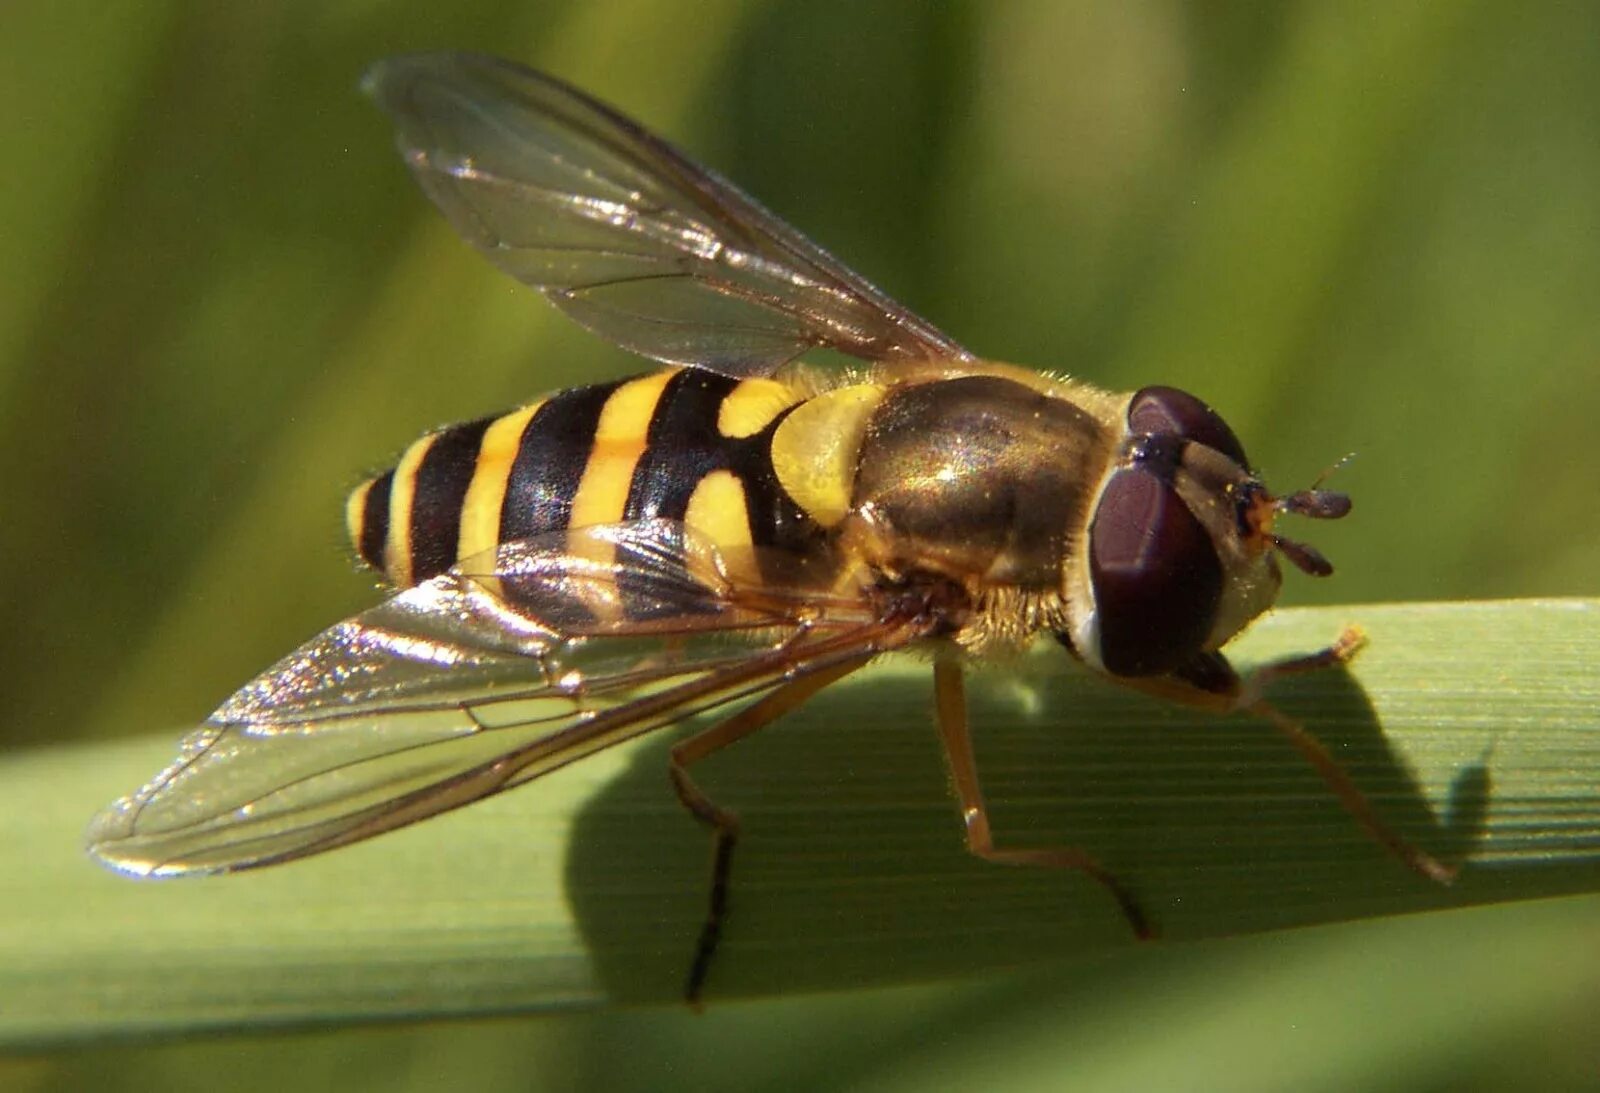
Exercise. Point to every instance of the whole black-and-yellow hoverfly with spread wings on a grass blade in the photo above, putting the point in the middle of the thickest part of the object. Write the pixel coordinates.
(729, 535)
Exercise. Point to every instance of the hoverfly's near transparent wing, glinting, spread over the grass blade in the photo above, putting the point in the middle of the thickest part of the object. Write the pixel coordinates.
(478, 681)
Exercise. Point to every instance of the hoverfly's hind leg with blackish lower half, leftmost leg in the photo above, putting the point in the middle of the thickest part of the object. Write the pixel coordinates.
(724, 823)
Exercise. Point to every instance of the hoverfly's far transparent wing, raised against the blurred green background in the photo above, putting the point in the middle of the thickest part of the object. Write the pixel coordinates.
(622, 231)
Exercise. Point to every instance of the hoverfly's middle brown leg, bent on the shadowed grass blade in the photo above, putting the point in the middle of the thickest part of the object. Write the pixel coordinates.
(951, 700)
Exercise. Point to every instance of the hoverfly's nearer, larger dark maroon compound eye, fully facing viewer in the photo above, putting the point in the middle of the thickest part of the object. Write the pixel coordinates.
(1156, 575)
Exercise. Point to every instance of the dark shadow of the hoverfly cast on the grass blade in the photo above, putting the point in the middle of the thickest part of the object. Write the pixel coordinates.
(852, 868)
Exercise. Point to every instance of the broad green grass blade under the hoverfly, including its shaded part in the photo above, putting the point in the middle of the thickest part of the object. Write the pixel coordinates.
(1474, 729)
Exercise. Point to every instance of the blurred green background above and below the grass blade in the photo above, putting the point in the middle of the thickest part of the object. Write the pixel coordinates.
(1351, 228)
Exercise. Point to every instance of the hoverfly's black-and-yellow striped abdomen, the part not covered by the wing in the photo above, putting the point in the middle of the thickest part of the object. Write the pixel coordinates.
(681, 444)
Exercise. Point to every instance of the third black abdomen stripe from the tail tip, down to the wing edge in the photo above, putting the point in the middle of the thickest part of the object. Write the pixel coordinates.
(551, 460)
